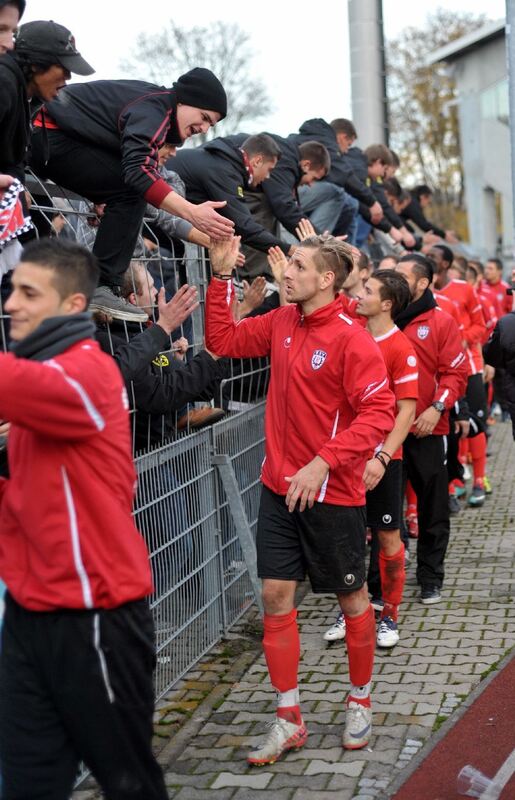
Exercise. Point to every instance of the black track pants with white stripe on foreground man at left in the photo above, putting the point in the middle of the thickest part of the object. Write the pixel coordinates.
(78, 685)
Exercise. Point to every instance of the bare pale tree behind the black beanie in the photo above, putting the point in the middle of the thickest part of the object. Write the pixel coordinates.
(222, 48)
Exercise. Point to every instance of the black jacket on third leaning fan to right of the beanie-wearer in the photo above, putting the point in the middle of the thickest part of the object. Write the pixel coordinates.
(342, 171)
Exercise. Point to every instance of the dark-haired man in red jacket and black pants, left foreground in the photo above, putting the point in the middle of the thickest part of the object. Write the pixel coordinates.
(77, 649)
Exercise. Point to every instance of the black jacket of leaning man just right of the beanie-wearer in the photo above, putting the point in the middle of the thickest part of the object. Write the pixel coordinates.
(216, 171)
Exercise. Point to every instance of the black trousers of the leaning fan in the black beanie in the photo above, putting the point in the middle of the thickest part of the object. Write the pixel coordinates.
(94, 173)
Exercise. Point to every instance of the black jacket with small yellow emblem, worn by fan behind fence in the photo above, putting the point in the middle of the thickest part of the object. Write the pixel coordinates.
(157, 385)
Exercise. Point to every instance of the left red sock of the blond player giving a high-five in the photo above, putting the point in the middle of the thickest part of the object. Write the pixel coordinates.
(281, 645)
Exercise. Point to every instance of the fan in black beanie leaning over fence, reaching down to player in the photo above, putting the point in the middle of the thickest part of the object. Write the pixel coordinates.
(102, 140)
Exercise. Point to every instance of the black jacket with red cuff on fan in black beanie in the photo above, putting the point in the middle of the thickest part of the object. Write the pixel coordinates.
(132, 118)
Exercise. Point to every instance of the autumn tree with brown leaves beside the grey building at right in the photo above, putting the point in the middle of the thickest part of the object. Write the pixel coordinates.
(423, 106)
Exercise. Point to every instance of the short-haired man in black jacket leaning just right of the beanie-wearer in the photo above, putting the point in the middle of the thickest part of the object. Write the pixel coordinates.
(222, 170)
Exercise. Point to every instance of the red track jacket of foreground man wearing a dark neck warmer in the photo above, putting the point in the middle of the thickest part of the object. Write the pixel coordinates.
(67, 538)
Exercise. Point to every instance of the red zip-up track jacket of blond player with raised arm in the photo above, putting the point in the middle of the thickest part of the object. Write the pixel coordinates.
(328, 393)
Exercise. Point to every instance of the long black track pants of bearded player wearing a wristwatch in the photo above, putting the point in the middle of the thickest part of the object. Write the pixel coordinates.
(426, 467)
